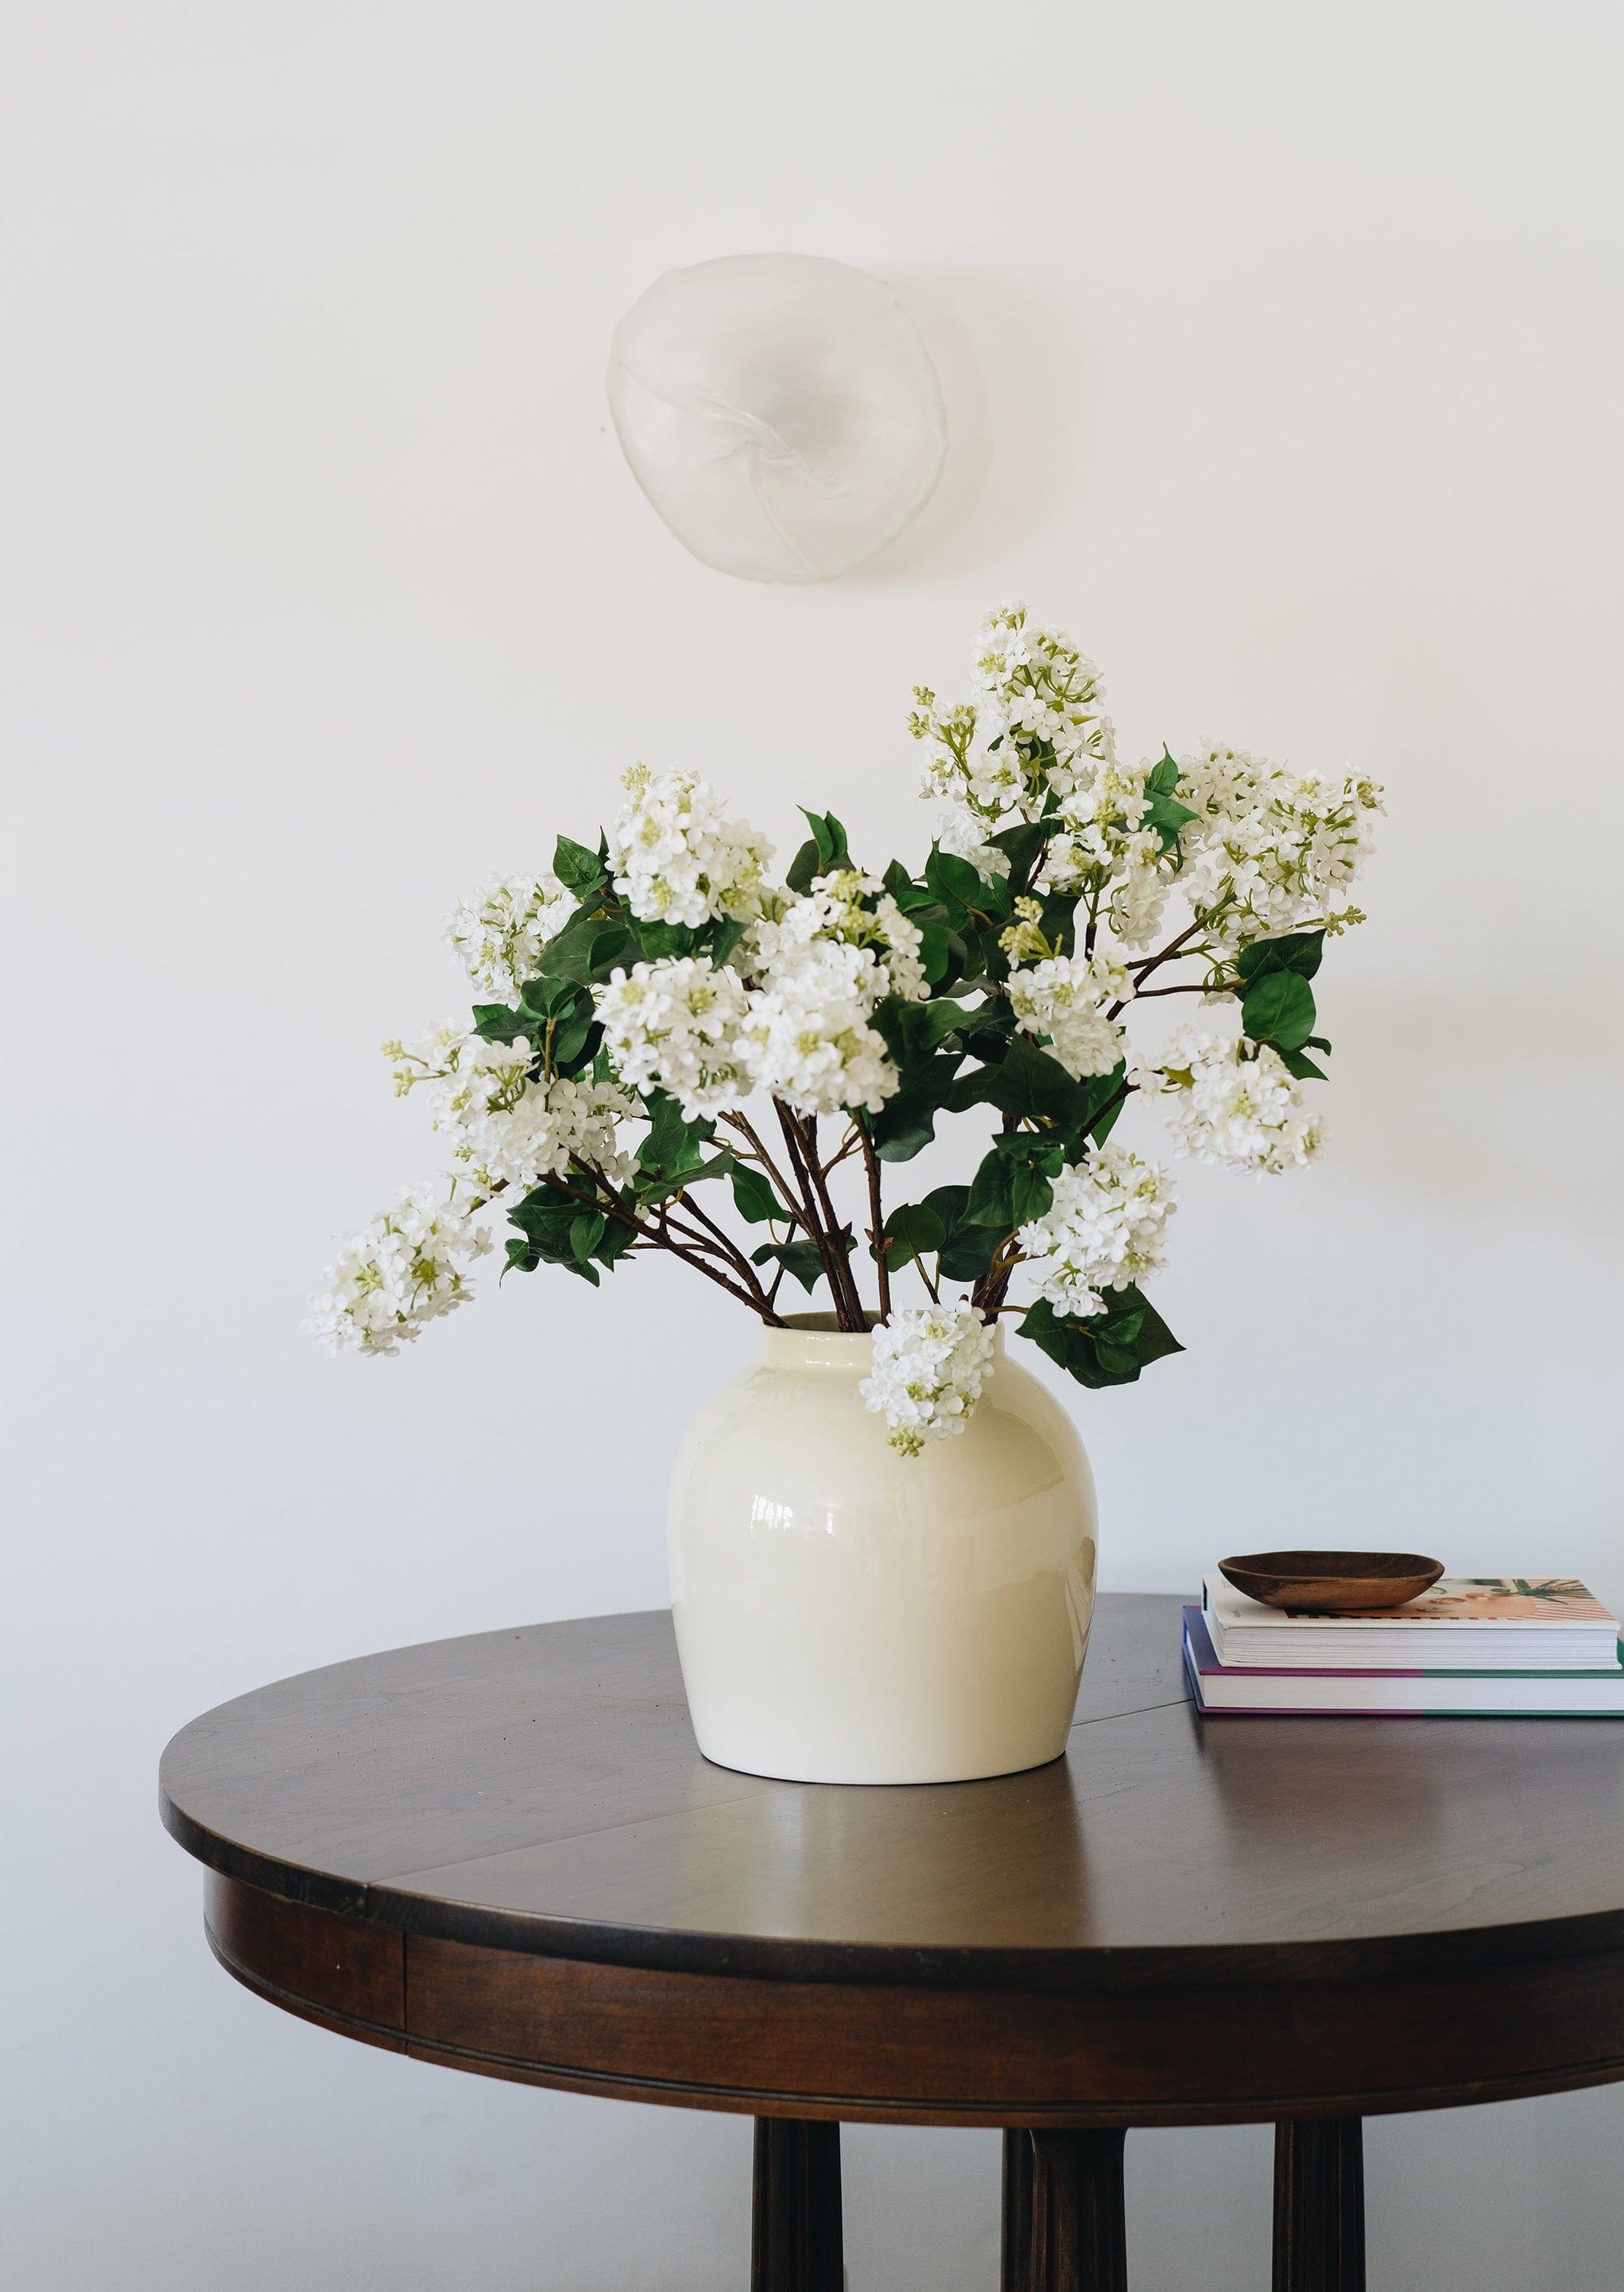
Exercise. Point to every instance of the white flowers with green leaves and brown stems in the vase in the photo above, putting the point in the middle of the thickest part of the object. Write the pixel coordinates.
(668, 1030)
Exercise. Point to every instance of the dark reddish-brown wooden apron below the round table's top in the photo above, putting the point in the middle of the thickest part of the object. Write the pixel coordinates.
(945, 2055)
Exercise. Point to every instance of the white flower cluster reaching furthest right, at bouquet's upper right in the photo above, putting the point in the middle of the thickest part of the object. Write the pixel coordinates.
(1268, 849)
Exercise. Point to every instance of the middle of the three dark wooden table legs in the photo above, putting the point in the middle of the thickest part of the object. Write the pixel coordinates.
(1064, 2227)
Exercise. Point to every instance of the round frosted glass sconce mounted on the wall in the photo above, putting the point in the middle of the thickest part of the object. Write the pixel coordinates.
(780, 411)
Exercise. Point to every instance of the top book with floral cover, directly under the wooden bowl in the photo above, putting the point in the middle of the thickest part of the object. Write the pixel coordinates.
(1463, 1624)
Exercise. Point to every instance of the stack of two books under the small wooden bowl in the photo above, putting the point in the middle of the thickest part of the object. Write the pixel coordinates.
(1472, 1647)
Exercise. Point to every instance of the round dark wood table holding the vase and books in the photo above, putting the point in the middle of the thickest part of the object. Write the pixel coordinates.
(507, 1855)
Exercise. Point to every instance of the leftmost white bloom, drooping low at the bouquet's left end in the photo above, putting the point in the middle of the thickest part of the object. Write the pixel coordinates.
(400, 1273)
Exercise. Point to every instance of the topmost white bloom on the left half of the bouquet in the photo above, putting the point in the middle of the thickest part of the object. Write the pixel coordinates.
(677, 858)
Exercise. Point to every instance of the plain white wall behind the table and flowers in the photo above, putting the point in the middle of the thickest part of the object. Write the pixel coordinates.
(1282, 354)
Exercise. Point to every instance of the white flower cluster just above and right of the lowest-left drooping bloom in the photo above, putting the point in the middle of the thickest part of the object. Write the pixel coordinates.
(507, 1127)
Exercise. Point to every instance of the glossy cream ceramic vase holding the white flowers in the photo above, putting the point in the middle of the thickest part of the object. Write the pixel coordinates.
(856, 1617)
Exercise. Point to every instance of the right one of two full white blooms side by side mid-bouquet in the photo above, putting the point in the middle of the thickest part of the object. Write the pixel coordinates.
(807, 1037)
